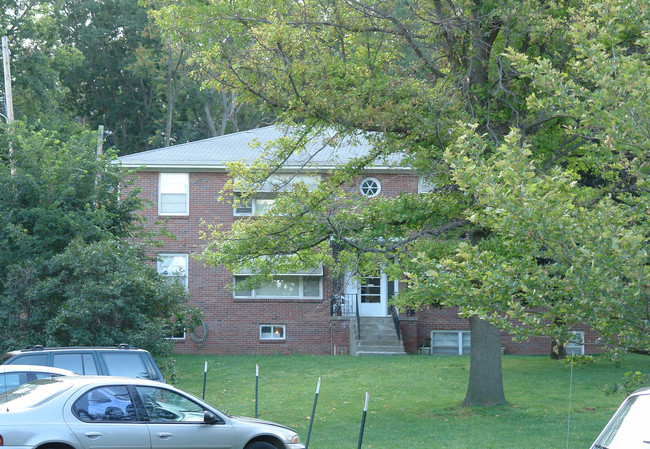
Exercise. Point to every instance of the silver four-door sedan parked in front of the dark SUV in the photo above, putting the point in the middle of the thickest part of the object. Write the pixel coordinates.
(89, 412)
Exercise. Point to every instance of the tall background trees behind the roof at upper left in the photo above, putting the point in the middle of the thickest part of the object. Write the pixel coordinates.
(106, 64)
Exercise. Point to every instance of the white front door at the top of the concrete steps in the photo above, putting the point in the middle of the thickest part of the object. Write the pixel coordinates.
(372, 294)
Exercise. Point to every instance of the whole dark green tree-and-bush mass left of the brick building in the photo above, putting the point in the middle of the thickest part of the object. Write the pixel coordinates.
(68, 272)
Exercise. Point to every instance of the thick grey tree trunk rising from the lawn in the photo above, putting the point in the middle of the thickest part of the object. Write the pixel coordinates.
(485, 378)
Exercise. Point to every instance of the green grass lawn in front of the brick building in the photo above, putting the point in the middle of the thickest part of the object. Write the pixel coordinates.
(414, 400)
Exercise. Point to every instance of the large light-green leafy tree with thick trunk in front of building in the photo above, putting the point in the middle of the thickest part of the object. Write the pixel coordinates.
(515, 111)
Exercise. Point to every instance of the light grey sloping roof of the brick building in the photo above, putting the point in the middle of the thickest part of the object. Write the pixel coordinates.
(216, 152)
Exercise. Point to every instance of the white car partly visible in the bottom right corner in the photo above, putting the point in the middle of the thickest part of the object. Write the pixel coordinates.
(629, 428)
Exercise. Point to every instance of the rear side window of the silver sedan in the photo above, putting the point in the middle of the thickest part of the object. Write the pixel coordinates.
(105, 404)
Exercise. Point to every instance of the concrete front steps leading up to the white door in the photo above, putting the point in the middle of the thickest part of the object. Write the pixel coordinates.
(378, 337)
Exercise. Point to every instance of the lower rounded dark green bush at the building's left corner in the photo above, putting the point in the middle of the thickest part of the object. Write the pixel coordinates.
(106, 293)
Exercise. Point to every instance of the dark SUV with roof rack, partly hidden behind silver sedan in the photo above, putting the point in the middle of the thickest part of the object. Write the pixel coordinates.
(121, 360)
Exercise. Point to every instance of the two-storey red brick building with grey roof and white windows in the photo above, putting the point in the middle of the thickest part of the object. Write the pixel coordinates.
(183, 185)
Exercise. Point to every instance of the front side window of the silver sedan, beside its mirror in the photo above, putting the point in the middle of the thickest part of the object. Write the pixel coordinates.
(168, 406)
